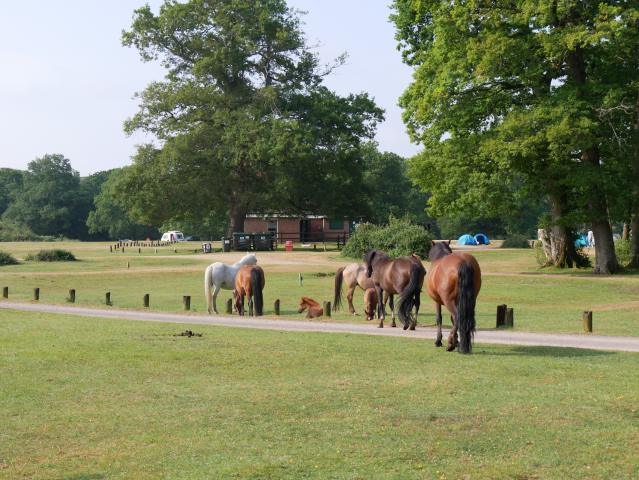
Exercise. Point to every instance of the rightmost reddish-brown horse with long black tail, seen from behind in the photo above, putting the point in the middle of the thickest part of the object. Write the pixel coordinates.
(454, 280)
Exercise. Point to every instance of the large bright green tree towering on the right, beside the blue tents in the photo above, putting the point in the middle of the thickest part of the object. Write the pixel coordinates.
(513, 89)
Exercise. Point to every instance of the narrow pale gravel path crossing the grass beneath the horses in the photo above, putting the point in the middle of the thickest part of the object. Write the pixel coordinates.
(504, 337)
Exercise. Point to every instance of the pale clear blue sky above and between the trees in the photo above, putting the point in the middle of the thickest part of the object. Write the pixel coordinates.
(67, 83)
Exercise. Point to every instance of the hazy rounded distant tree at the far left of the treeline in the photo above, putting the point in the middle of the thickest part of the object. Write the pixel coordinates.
(49, 199)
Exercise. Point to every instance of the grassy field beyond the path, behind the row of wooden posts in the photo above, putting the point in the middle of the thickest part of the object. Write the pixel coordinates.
(543, 300)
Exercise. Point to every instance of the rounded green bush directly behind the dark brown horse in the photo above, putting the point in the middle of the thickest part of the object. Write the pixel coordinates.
(399, 238)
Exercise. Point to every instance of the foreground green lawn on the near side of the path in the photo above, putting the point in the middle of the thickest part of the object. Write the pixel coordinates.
(86, 398)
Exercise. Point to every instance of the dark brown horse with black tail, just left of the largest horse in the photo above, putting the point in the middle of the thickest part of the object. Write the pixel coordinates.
(403, 276)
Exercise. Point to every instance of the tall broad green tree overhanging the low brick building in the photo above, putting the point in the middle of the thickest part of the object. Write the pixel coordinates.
(244, 122)
